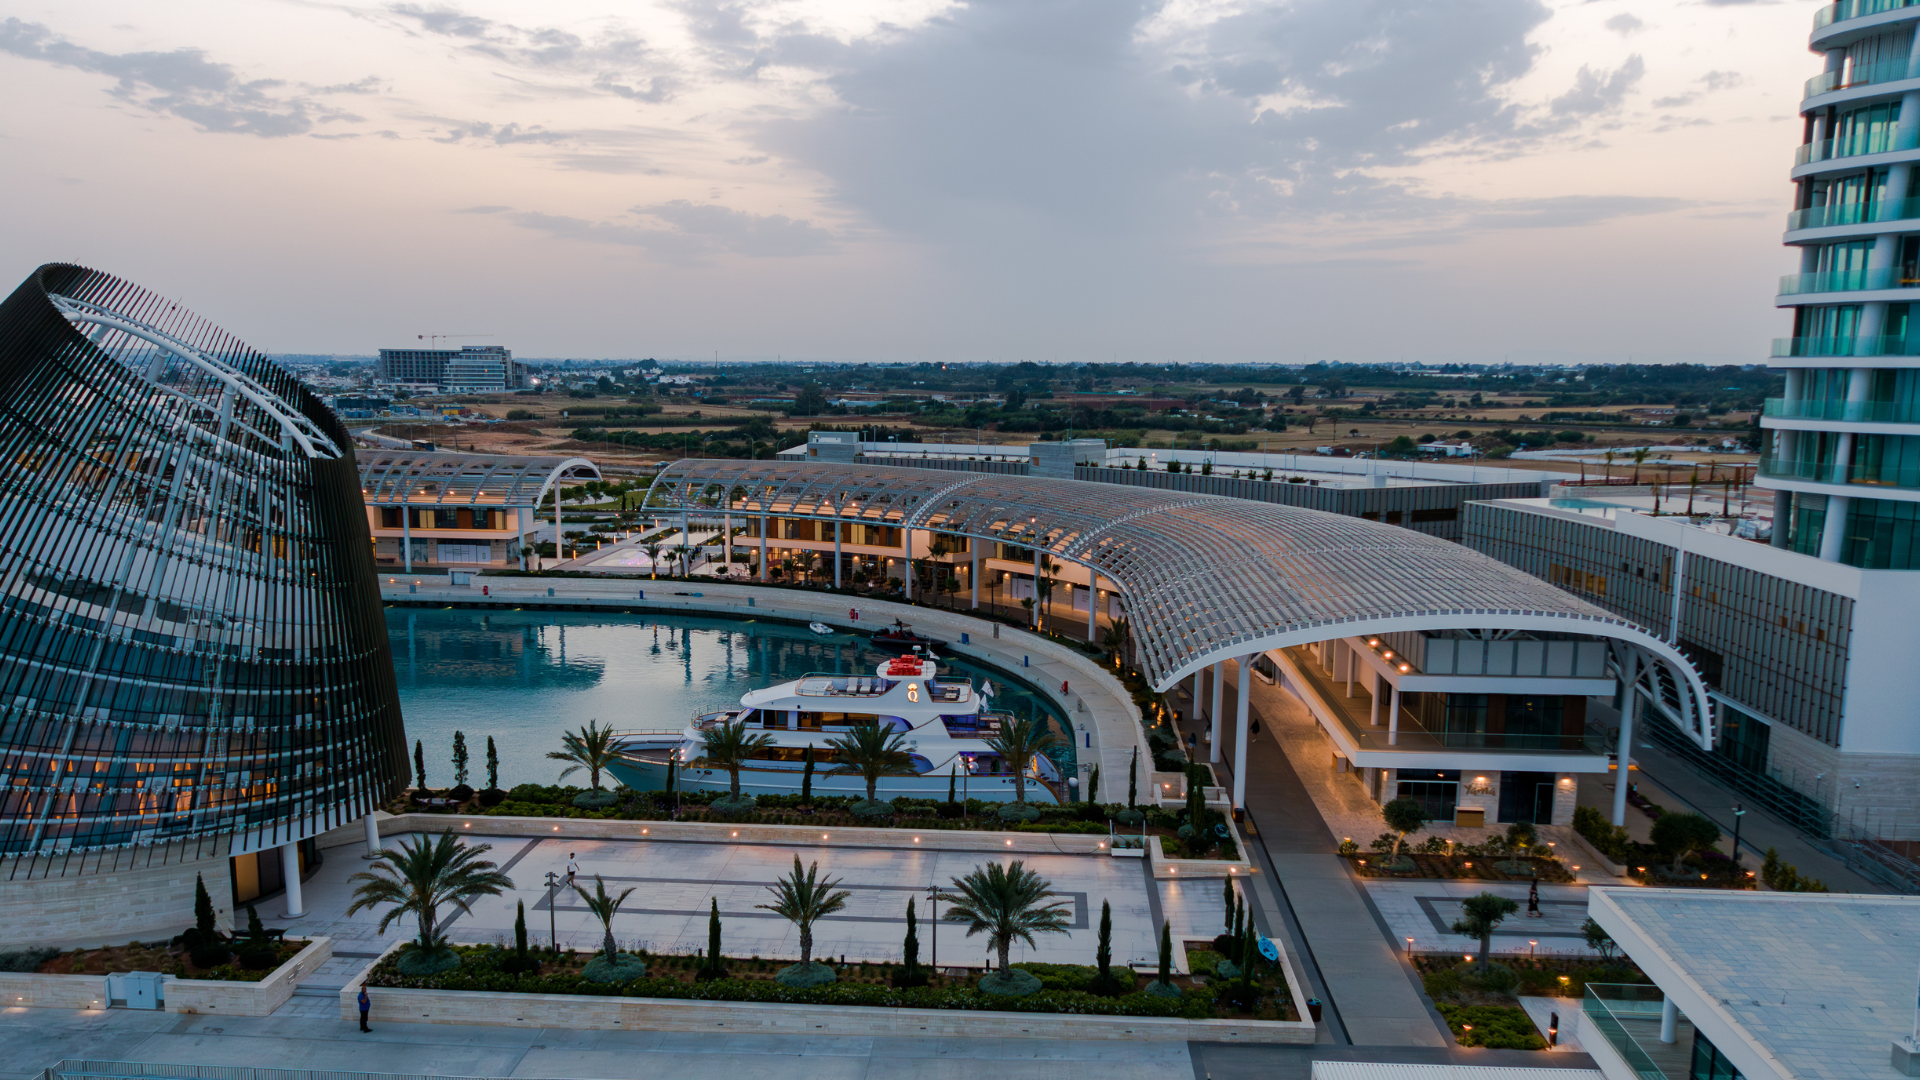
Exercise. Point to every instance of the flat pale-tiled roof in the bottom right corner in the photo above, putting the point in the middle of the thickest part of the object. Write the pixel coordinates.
(1787, 985)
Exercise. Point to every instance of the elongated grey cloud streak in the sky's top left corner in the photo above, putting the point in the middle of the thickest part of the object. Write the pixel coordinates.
(181, 84)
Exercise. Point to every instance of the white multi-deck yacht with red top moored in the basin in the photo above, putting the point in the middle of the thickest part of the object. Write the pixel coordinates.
(944, 722)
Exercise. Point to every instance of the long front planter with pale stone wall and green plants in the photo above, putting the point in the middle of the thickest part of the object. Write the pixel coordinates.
(750, 1000)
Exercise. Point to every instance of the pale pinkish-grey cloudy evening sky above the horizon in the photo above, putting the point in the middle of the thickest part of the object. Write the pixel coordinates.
(923, 180)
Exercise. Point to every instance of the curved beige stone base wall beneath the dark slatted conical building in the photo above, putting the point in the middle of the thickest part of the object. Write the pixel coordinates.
(59, 902)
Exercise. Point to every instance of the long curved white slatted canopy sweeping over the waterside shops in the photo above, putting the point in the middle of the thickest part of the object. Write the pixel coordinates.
(1203, 577)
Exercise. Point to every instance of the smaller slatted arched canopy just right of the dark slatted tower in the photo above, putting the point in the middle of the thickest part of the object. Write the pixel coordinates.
(433, 478)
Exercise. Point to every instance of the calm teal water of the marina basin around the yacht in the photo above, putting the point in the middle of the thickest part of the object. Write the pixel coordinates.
(525, 677)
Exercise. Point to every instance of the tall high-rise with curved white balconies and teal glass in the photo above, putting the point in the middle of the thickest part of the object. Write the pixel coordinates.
(1846, 447)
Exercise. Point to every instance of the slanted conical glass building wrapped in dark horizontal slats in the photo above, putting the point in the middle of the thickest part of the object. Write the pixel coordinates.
(193, 656)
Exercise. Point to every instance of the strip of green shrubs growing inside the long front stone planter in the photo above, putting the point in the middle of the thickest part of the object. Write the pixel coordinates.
(1063, 987)
